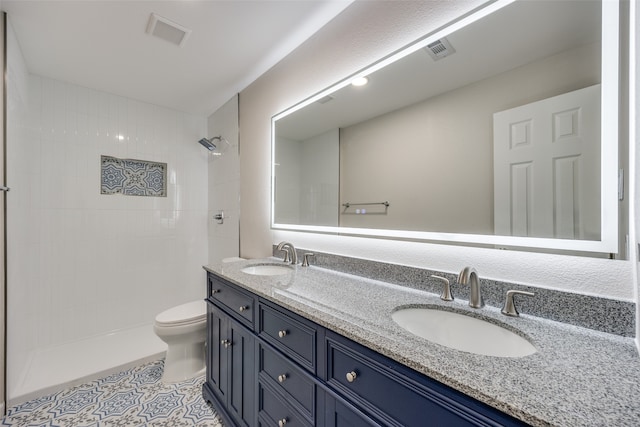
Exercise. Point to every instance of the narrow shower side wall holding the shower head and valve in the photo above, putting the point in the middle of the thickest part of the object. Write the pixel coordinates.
(224, 184)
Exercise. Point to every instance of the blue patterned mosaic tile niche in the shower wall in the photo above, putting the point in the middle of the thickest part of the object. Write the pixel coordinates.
(133, 177)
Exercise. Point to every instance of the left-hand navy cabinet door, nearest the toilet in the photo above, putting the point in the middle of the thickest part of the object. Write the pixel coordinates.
(217, 356)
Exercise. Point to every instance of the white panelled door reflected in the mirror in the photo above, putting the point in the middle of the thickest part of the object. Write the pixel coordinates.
(547, 167)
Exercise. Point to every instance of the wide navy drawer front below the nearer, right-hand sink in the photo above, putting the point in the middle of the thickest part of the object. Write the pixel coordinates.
(383, 388)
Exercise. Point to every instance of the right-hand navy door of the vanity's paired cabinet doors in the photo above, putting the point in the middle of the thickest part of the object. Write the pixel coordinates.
(242, 370)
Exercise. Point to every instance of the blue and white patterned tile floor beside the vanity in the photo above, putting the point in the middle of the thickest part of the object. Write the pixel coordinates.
(135, 397)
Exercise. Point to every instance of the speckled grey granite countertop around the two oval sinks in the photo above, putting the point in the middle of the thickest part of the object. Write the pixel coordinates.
(578, 376)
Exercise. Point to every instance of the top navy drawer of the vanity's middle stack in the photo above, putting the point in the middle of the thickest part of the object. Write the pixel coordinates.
(289, 335)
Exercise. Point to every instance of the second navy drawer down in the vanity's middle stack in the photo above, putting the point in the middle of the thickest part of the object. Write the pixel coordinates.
(289, 379)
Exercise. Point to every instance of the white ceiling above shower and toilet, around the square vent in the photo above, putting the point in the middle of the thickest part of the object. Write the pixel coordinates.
(103, 44)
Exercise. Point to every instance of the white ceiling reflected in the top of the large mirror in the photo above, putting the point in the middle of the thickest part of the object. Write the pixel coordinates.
(502, 41)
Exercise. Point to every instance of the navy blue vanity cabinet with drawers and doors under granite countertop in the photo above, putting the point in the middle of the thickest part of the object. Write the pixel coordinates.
(277, 368)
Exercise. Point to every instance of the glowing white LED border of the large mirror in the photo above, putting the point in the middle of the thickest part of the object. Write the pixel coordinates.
(609, 156)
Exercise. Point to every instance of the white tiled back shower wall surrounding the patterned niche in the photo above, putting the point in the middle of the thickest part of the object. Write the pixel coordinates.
(80, 263)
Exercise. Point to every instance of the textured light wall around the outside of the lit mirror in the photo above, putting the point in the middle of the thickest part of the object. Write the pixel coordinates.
(362, 34)
